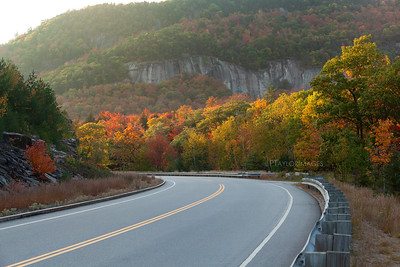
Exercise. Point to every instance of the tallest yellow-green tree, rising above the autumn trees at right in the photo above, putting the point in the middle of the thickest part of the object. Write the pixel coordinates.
(345, 83)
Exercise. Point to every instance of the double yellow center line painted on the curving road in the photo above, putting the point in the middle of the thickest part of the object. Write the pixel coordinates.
(115, 233)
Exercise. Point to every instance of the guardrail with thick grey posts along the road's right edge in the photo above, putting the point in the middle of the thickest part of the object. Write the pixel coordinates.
(329, 242)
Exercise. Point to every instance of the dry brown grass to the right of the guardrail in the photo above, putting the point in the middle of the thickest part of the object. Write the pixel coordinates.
(376, 226)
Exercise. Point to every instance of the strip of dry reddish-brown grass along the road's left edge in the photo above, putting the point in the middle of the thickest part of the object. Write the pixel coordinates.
(19, 199)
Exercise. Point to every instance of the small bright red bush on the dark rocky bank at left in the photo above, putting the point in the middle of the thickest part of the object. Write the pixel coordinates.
(39, 159)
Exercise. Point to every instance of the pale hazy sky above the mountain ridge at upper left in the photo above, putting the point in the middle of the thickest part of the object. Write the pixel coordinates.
(17, 16)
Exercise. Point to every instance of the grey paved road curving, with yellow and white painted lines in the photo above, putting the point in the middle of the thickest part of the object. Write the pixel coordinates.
(190, 221)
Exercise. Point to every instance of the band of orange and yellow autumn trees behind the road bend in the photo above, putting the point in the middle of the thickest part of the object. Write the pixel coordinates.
(334, 126)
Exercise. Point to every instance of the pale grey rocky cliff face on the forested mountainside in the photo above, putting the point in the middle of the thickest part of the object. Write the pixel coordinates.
(236, 78)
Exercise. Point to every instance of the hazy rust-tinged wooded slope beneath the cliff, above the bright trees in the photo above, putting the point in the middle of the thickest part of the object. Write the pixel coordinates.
(125, 98)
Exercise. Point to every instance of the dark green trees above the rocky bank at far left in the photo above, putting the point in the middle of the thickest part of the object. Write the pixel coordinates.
(31, 105)
